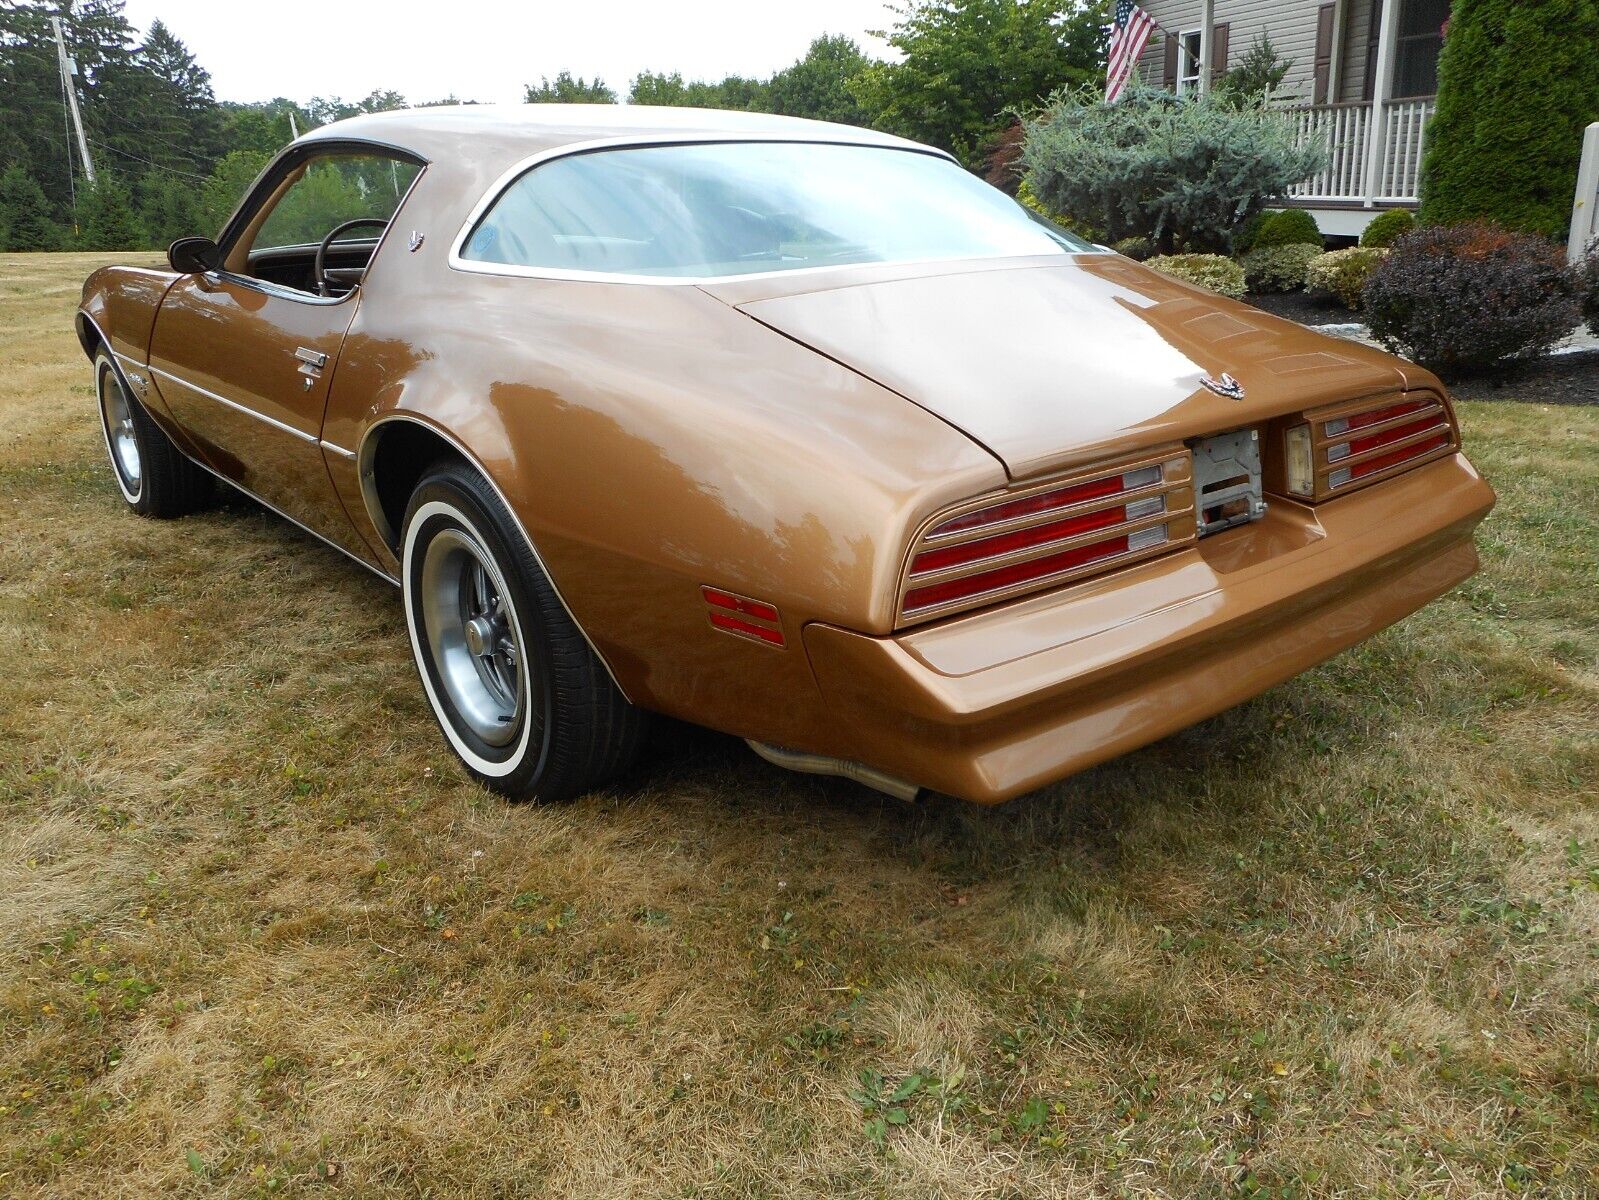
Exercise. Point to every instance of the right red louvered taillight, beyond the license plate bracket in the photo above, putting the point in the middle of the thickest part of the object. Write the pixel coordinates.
(1341, 449)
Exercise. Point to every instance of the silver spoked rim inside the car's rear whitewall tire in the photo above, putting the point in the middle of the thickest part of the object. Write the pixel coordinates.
(473, 636)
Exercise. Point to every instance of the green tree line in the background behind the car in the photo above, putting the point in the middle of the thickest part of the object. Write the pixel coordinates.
(172, 159)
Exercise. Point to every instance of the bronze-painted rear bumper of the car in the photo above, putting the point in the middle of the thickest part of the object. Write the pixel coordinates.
(1005, 702)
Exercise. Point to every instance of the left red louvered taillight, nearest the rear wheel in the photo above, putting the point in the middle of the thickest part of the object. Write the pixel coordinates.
(1019, 543)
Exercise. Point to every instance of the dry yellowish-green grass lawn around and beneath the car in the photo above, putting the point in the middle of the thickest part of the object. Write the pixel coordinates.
(261, 935)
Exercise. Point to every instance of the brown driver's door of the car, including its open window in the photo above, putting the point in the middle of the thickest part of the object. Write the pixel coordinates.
(244, 356)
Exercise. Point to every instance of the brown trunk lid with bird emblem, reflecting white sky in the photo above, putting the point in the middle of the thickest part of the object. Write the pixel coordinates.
(1050, 366)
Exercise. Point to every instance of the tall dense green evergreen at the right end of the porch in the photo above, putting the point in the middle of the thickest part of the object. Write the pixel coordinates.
(1517, 84)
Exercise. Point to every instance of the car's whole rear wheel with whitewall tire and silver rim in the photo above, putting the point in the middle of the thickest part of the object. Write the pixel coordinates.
(520, 695)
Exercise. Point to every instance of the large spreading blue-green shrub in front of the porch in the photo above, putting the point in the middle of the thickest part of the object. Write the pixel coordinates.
(1182, 172)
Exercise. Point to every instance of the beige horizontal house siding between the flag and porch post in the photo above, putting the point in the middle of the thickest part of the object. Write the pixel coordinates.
(1291, 25)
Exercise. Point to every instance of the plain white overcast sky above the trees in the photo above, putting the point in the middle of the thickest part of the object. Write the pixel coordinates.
(487, 50)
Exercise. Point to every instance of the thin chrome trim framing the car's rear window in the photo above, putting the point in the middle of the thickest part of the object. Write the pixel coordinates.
(636, 142)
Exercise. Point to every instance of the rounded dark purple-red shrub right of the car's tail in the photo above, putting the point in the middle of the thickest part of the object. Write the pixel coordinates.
(1464, 298)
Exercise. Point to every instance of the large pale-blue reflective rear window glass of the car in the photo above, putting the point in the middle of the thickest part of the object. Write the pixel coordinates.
(736, 209)
